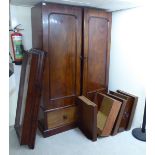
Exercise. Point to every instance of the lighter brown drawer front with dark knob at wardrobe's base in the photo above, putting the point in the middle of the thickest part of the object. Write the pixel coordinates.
(61, 117)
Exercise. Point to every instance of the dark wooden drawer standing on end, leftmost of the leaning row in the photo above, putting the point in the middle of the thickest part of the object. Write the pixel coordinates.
(87, 117)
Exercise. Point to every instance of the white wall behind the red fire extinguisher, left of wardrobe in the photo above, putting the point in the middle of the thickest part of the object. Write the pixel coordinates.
(19, 15)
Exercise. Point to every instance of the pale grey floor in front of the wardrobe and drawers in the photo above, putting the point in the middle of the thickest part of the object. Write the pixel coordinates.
(73, 142)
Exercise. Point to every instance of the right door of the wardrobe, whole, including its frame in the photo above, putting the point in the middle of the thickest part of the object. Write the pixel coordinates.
(97, 27)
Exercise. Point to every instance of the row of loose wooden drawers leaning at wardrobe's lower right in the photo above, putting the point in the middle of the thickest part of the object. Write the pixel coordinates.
(109, 114)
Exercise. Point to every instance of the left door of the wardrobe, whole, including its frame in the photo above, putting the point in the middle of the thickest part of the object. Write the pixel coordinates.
(62, 39)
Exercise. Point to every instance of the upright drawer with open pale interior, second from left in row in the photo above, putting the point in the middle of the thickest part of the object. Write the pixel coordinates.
(107, 115)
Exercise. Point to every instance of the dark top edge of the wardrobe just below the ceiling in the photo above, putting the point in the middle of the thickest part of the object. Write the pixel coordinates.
(60, 4)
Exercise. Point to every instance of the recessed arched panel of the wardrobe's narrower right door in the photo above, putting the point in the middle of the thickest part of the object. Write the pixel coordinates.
(97, 53)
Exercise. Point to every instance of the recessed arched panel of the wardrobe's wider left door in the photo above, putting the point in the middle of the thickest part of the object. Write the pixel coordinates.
(62, 52)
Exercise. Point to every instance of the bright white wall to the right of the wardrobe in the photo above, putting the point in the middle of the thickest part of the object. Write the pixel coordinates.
(128, 55)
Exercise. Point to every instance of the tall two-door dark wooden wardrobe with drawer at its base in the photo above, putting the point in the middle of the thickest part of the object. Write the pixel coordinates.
(62, 31)
